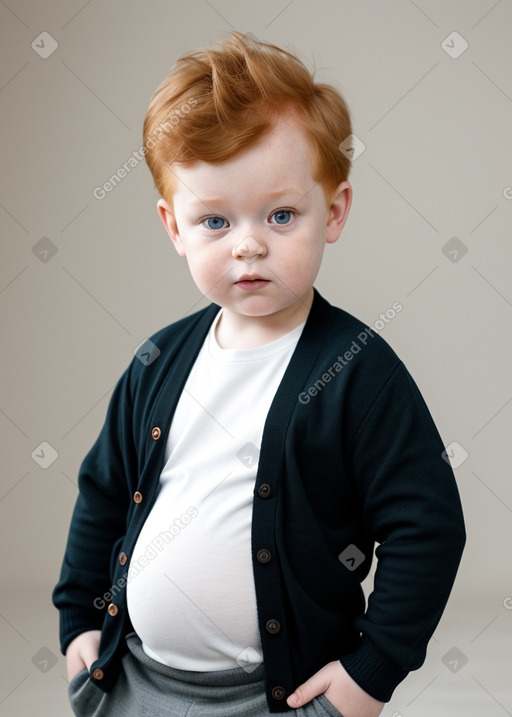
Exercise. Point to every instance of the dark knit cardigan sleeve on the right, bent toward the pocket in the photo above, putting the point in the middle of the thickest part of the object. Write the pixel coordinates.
(412, 509)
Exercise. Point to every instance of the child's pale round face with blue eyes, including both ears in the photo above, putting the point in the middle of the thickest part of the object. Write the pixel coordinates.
(254, 228)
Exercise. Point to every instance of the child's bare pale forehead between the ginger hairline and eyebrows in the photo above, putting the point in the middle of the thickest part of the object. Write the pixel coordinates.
(282, 158)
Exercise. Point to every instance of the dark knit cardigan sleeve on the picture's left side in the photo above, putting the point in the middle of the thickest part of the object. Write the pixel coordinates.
(98, 520)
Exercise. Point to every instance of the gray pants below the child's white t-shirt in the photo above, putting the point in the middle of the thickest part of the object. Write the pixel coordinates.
(146, 688)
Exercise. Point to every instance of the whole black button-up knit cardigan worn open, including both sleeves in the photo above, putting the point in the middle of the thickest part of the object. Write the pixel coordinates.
(350, 457)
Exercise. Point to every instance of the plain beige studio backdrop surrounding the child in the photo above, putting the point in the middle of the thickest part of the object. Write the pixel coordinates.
(436, 166)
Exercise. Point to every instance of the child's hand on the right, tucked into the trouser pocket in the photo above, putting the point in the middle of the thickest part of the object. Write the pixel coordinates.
(341, 691)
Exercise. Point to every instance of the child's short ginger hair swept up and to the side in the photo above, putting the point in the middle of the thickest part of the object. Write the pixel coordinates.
(219, 101)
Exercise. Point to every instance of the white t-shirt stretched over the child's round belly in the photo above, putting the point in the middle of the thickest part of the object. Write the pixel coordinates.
(192, 598)
